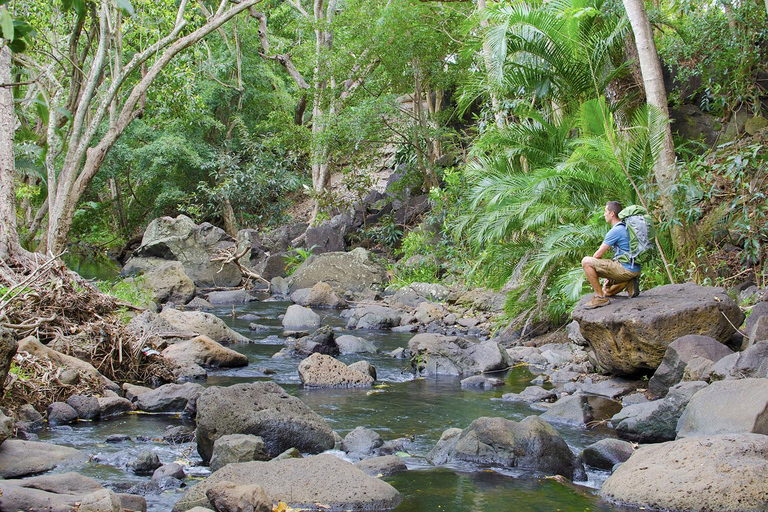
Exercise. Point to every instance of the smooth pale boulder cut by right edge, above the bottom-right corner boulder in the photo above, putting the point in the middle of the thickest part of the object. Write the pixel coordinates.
(727, 407)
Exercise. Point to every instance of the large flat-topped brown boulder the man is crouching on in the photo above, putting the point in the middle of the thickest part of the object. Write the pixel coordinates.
(631, 336)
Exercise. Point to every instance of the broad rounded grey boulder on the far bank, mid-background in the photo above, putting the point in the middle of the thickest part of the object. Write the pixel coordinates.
(355, 270)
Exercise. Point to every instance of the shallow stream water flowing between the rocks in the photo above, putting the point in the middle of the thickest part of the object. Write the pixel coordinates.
(399, 405)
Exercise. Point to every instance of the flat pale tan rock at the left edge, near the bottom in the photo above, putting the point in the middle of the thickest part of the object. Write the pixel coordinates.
(23, 458)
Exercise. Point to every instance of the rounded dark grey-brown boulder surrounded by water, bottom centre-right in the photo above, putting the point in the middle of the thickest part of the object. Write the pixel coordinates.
(530, 444)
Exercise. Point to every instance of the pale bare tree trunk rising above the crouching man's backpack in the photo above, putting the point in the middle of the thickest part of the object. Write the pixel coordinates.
(656, 95)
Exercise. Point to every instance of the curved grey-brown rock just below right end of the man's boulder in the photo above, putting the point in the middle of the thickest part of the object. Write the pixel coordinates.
(677, 356)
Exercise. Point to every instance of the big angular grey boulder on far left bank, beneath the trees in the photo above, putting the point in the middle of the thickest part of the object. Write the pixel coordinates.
(195, 246)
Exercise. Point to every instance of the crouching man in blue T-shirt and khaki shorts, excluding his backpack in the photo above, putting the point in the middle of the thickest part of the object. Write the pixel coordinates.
(618, 275)
